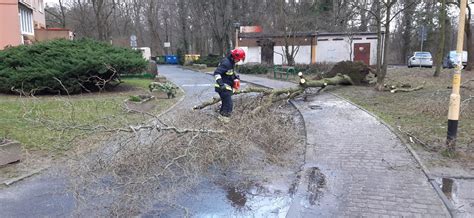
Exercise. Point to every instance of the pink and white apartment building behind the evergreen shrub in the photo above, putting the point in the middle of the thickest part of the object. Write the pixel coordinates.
(18, 21)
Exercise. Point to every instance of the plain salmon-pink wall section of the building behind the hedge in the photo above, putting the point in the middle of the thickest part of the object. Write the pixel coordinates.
(9, 24)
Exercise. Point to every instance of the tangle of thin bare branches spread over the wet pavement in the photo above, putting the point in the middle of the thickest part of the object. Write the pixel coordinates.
(154, 164)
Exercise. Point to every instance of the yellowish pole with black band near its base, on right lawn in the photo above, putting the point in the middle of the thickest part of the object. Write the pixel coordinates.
(455, 98)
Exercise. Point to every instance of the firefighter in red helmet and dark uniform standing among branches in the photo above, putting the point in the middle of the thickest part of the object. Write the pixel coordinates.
(227, 81)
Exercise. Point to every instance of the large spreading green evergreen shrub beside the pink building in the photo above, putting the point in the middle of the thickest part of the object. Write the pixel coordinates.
(79, 65)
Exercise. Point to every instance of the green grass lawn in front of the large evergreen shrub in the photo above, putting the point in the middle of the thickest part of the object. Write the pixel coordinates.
(56, 122)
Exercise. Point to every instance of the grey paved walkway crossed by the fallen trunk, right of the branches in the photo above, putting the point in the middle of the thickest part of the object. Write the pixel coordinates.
(361, 167)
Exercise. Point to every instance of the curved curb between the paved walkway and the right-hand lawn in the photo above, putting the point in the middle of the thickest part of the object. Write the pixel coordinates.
(447, 203)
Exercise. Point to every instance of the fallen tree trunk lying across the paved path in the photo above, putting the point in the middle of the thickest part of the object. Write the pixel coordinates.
(275, 95)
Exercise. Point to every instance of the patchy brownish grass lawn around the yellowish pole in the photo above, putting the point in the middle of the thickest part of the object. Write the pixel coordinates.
(421, 113)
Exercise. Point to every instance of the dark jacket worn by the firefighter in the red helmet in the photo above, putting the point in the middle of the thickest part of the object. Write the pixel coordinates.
(225, 74)
